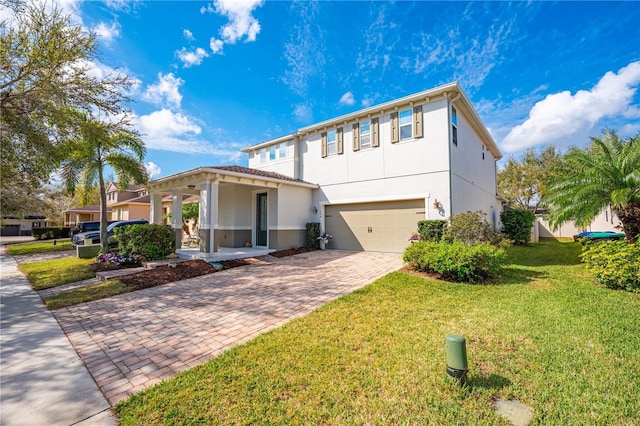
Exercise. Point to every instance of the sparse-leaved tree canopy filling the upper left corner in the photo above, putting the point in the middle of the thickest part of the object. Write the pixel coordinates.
(48, 71)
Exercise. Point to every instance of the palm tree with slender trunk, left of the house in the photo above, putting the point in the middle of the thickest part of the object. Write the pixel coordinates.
(100, 144)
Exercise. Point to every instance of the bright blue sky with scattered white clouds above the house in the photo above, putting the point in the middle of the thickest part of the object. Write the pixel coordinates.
(213, 77)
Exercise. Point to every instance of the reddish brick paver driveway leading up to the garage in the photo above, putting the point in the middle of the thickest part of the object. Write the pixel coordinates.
(134, 340)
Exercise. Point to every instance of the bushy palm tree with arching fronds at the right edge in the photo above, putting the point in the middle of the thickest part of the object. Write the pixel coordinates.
(588, 180)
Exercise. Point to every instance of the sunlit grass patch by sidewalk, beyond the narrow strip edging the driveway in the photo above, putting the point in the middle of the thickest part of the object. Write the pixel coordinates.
(52, 273)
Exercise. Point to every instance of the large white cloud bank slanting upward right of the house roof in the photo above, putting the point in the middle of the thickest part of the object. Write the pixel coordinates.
(562, 115)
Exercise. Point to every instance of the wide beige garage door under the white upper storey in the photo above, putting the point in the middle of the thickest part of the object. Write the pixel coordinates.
(383, 226)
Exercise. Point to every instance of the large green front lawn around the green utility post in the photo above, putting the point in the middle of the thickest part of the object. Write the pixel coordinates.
(545, 335)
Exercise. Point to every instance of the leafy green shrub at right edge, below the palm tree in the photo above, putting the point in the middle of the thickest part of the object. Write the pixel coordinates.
(616, 264)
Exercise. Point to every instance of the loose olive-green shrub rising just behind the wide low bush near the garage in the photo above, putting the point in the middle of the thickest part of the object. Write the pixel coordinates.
(472, 228)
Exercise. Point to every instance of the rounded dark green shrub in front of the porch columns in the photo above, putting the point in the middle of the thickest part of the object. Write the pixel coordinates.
(149, 241)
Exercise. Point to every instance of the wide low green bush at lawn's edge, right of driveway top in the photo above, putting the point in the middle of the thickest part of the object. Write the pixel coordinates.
(456, 261)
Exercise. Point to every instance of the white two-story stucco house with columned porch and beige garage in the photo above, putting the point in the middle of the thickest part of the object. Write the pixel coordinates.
(368, 177)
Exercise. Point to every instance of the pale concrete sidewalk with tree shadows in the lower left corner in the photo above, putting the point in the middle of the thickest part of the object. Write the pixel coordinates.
(42, 379)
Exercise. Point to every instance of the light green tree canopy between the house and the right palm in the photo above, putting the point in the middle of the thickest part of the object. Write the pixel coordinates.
(524, 182)
